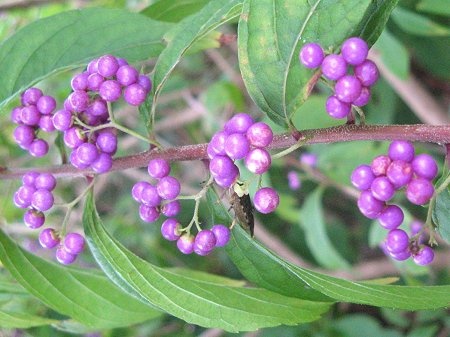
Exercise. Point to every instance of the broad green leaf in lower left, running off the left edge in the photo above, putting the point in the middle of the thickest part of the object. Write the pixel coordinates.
(83, 295)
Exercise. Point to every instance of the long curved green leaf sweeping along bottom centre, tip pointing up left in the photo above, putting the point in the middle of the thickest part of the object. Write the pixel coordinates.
(195, 300)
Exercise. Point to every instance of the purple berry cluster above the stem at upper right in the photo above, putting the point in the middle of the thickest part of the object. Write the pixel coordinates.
(352, 87)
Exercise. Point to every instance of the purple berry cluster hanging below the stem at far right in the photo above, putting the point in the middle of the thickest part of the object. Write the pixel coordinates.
(378, 183)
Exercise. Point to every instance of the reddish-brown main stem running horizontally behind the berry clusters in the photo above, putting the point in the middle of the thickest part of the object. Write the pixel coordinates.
(439, 134)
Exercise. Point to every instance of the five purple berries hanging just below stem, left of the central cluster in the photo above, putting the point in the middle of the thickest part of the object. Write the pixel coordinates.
(159, 197)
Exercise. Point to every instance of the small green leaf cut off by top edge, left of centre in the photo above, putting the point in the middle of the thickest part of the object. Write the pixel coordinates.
(173, 10)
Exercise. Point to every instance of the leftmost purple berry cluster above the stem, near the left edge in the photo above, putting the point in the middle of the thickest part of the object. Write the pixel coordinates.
(34, 114)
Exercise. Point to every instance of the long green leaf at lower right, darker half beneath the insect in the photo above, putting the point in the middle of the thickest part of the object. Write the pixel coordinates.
(265, 269)
